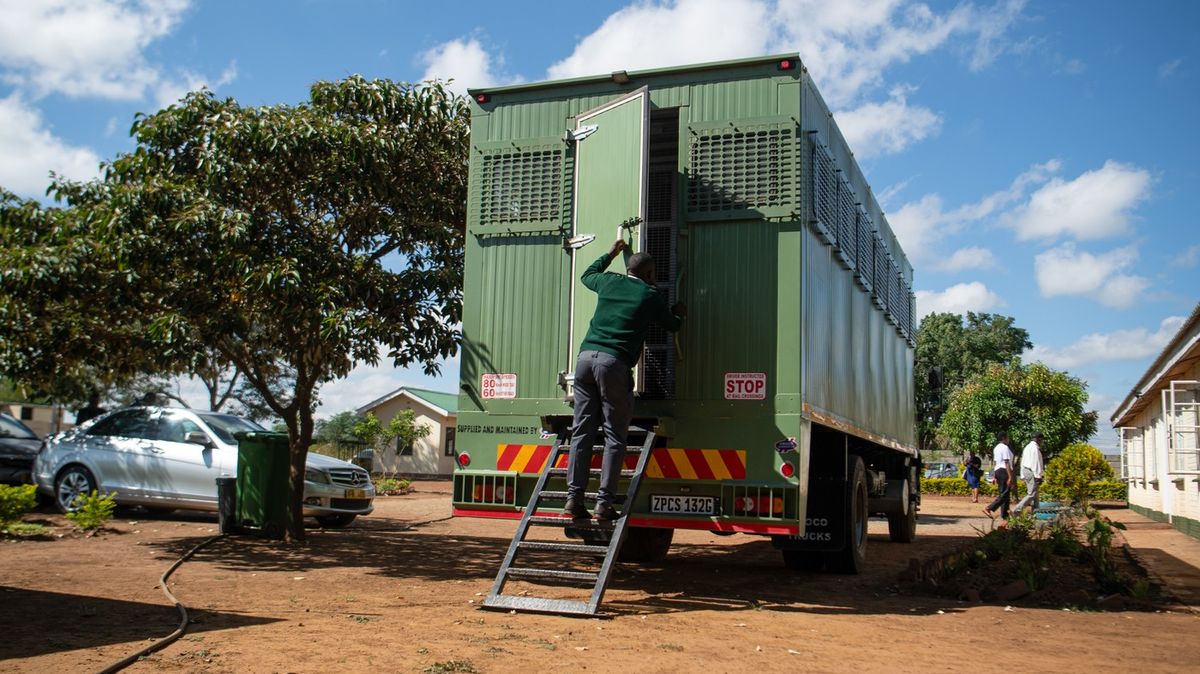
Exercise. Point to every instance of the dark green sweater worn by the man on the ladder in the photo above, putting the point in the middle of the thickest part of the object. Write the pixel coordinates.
(625, 312)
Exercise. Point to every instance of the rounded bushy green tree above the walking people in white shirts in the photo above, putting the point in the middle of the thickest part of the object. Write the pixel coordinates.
(1022, 400)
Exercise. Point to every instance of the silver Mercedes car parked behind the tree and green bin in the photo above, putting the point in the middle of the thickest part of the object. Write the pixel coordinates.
(166, 459)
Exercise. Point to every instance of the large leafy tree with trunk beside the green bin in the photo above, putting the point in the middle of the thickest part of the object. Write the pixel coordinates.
(284, 238)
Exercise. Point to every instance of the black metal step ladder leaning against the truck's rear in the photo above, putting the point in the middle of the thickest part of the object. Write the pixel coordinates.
(592, 531)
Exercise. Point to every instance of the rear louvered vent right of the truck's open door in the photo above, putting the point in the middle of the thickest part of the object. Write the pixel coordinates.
(743, 168)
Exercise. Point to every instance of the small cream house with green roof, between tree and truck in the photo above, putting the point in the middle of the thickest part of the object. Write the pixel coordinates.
(430, 456)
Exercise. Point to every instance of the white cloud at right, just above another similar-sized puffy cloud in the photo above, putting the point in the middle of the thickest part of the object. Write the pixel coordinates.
(1095, 206)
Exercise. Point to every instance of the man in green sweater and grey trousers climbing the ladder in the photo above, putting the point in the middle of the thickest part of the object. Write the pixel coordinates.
(604, 378)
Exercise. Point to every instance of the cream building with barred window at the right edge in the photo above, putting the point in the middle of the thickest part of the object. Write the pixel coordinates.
(1159, 425)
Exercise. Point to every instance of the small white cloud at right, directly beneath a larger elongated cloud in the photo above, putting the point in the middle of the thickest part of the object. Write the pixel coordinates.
(1066, 272)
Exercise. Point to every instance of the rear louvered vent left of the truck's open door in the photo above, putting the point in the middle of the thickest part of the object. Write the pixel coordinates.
(521, 186)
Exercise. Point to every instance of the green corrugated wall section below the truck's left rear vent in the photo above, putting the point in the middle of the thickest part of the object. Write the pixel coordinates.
(521, 323)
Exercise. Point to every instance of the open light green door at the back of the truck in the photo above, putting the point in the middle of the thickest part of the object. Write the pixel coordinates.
(610, 191)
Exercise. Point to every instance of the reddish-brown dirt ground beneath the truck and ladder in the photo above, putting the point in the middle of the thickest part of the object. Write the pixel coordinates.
(398, 592)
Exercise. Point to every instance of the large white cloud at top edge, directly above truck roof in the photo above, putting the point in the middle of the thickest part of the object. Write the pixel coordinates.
(847, 45)
